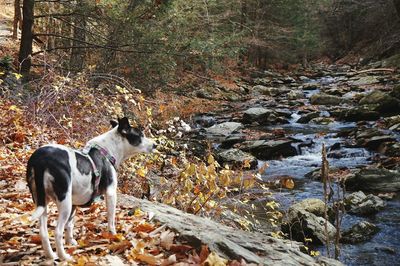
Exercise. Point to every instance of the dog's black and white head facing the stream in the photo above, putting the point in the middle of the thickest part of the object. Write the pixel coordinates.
(133, 138)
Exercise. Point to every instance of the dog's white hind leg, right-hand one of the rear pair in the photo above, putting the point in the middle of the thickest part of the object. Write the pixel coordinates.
(64, 212)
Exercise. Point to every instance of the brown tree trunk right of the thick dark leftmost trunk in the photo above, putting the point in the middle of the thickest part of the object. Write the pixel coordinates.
(77, 58)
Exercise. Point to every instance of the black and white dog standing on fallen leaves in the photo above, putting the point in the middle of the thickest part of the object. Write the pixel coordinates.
(74, 178)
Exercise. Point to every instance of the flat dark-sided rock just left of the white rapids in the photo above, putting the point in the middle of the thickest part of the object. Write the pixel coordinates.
(270, 149)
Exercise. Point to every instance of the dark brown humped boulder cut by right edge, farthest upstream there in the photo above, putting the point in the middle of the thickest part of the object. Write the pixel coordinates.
(383, 102)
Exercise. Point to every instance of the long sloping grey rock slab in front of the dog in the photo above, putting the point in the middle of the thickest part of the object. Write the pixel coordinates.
(226, 241)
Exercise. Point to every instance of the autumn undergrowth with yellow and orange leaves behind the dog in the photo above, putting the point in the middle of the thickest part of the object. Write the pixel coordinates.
(68, 110)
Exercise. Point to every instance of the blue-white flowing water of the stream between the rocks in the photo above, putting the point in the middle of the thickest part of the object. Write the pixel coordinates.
(384, 247)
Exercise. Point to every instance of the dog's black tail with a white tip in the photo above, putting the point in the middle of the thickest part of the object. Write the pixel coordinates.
(34, 177)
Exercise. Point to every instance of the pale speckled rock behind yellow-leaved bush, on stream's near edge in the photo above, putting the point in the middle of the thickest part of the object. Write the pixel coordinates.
(236, 158)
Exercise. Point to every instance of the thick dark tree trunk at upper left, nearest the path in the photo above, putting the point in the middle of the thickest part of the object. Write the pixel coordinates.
(25, 49)
